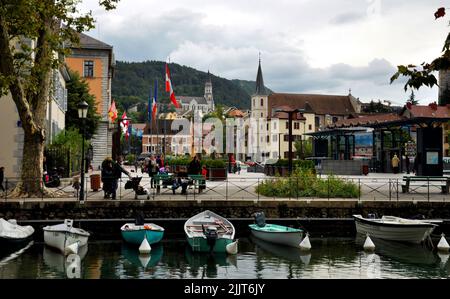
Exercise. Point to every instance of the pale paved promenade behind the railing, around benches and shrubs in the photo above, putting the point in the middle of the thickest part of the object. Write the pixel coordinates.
(374, 187)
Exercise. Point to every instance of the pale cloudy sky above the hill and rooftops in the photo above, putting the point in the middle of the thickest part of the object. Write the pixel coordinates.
(307, 46)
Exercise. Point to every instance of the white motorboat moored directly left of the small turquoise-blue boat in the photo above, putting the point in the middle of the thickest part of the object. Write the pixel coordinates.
(64, 237)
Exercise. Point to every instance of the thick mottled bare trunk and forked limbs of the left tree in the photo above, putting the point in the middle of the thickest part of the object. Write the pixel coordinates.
(32, 106)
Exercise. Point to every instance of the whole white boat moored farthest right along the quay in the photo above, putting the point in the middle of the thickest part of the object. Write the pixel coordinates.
(395, 228)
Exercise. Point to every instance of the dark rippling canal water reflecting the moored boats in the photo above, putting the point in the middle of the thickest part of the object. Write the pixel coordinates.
(329, 258)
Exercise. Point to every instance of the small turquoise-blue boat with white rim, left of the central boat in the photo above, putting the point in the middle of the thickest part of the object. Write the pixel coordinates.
(135, 234)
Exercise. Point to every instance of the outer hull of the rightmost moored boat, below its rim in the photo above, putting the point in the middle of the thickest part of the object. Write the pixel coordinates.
(395, 232)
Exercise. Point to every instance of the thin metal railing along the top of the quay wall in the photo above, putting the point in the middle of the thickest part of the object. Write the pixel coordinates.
(244, 188)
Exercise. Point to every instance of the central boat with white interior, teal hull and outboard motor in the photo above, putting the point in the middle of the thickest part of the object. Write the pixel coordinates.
(209, 232)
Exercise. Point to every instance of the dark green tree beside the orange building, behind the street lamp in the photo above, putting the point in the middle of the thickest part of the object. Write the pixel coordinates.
(78, 91)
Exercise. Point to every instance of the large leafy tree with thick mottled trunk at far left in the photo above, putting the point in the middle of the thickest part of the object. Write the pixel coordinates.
(33, 41)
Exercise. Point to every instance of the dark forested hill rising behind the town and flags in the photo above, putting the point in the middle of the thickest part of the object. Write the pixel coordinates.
(133, 83)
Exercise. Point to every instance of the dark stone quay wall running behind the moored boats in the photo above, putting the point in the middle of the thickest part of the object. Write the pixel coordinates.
(320, 218)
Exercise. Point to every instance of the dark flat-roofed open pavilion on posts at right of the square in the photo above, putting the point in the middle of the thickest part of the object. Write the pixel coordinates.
(425, 124)
